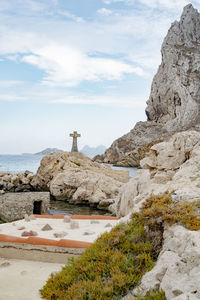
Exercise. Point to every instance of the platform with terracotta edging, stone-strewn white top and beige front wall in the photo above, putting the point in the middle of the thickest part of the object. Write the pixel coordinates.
(47, 246)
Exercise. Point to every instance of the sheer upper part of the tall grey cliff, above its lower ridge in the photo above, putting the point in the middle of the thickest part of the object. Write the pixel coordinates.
(175, 93)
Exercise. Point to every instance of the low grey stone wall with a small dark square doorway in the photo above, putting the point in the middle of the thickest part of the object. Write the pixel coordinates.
(13, 206)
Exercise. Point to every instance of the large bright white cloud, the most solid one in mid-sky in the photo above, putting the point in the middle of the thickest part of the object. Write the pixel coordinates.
(67, 66)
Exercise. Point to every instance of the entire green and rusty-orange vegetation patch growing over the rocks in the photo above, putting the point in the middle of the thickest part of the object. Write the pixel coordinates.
(117, 261)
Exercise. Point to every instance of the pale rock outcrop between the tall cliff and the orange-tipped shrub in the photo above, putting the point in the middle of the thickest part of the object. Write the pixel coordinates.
(172, 166)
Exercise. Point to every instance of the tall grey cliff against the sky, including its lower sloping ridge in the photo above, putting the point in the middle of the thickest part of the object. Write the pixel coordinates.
(174, 102)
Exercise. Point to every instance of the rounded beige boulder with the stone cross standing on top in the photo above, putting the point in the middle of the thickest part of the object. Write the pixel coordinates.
(74, 177)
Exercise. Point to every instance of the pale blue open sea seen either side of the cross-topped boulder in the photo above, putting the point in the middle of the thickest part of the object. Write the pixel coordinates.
(31, 162)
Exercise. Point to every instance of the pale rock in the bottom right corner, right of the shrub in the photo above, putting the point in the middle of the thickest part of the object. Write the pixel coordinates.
(178, 267)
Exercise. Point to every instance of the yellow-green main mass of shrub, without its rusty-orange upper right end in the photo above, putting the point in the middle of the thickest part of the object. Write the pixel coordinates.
(115, 263)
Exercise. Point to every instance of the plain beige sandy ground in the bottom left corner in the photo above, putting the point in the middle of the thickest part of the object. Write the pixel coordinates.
(22, 279)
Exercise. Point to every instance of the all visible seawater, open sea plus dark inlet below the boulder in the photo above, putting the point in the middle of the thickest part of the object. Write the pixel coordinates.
(30, 162)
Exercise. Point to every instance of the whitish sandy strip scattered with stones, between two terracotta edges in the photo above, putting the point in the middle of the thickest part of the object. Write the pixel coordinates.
(88, 230)
